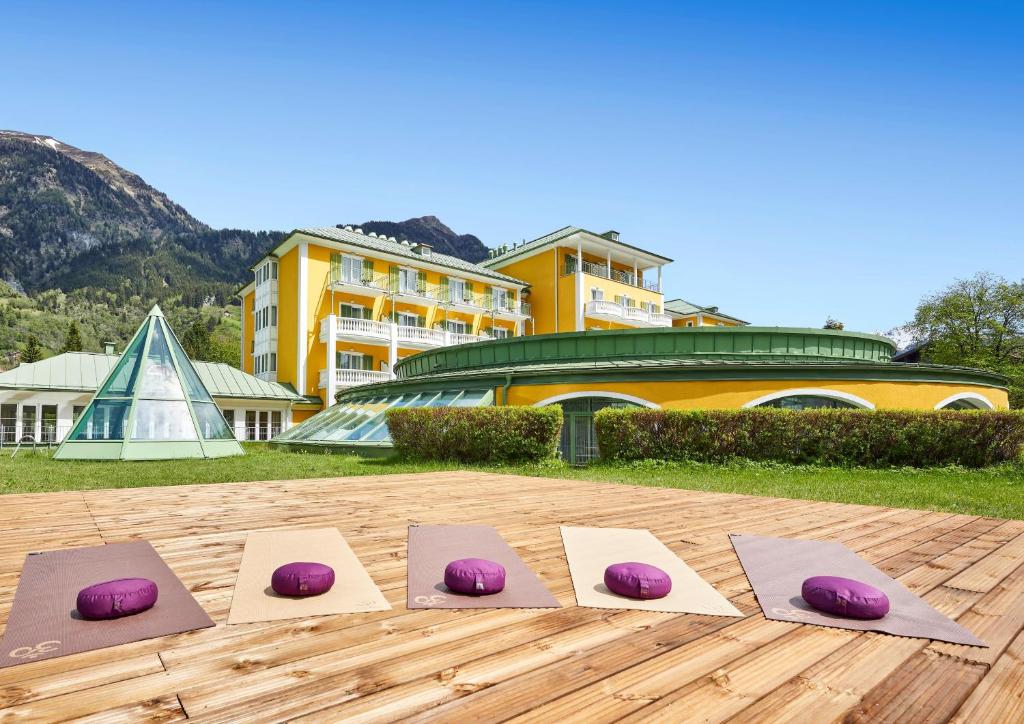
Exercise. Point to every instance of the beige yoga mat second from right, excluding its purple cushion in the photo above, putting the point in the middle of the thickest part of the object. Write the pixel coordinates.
(590, 551)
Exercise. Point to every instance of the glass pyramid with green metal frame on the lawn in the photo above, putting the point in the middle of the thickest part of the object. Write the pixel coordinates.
(153, 406)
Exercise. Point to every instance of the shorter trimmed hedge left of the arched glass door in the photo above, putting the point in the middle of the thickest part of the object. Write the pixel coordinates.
(476, 435)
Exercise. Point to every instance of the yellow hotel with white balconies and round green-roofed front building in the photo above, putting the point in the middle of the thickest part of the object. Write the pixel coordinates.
(359, 323)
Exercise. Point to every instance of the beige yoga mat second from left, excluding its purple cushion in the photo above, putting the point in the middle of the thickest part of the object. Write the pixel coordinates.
(254, 601)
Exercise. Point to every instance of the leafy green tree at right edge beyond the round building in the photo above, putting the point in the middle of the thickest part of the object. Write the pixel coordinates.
(978, 323)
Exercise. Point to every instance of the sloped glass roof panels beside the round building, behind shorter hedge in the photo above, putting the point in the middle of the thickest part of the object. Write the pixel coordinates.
(362, 422)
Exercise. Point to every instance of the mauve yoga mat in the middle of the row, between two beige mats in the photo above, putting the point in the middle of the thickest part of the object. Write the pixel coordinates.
(434, 547)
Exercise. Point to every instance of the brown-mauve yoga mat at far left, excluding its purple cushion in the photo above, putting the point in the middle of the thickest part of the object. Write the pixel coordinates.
(44, 623)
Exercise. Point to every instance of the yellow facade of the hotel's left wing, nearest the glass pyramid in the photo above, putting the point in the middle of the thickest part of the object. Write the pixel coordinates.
(309, 293)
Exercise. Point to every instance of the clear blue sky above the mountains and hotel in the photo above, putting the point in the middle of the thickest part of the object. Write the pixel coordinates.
(797, 160)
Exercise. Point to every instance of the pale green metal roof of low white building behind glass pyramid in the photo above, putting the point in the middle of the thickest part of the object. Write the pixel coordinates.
(83, 372)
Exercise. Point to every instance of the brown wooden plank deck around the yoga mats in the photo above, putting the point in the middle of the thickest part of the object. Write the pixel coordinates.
(573, 664)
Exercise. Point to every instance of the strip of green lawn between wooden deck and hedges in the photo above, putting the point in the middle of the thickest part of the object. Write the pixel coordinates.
(997, 492)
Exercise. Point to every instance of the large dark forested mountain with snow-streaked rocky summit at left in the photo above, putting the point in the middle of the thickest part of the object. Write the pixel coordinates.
(72, 219)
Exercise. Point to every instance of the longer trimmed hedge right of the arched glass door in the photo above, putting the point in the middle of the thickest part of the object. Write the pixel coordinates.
(847, 438)
